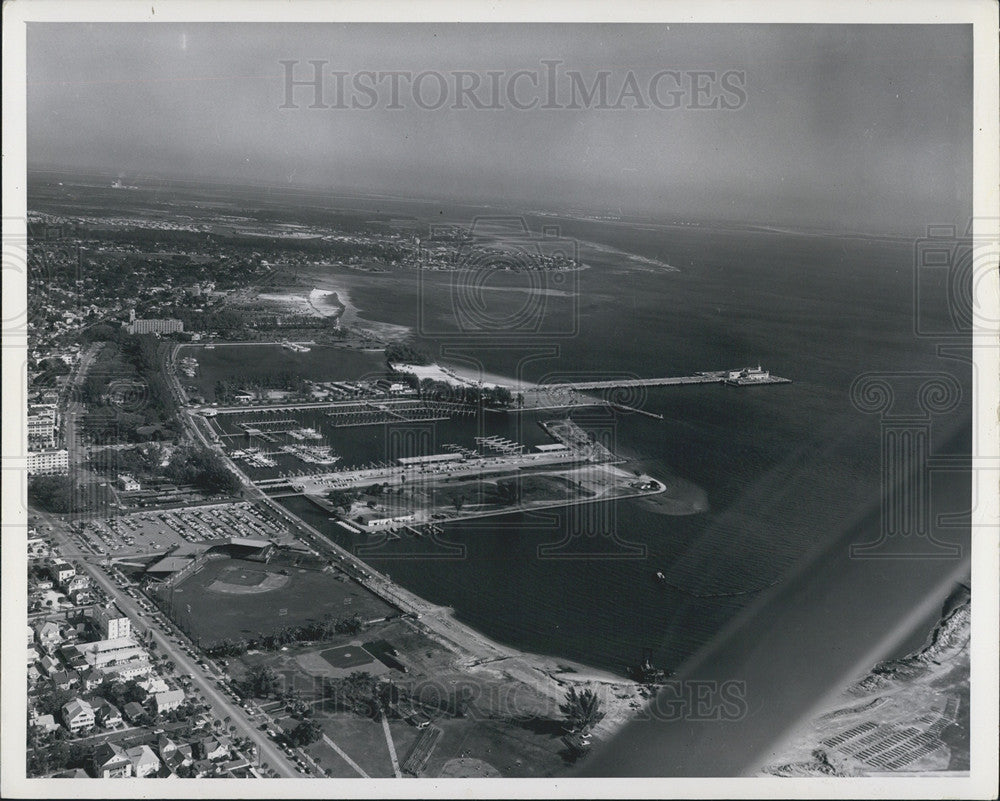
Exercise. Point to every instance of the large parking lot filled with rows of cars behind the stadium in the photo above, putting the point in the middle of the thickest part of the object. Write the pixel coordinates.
(158, 531)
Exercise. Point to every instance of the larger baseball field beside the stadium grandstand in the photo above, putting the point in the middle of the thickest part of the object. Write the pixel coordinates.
(235, 598)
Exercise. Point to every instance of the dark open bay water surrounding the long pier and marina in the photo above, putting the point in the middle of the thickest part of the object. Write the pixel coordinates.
(785, 470)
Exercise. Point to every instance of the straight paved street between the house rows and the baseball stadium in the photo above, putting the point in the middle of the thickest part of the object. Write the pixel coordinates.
(269, 752)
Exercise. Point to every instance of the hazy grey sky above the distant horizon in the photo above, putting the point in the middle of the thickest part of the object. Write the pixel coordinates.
(864, 127)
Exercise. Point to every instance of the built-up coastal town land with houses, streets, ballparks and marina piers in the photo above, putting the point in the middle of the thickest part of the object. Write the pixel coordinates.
(173, 619)
